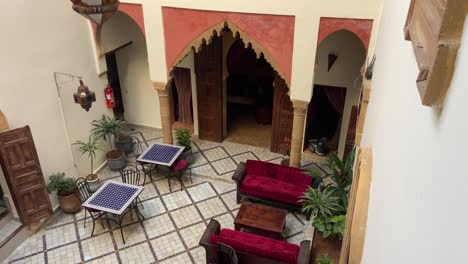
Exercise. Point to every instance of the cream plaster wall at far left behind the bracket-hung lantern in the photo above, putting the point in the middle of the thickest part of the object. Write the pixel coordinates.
(40, 39)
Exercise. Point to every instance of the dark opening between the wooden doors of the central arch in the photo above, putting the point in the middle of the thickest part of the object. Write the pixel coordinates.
(249, 92)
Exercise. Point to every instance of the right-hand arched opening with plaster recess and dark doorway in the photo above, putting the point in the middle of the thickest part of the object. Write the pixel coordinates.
(337, 87)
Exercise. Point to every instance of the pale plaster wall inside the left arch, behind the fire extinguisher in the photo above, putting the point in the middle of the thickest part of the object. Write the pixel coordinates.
(141, 102)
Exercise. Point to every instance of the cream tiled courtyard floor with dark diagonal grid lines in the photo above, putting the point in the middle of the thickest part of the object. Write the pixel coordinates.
(174, 221)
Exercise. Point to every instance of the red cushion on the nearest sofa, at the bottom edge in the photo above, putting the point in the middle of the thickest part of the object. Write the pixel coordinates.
(257, 245)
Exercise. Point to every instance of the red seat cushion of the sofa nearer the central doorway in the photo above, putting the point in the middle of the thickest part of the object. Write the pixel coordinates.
(273, 189)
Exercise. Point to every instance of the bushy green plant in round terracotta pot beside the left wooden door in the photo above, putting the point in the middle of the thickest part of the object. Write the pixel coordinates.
(65, 188)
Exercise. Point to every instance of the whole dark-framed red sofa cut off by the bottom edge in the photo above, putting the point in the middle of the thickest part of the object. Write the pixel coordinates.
(252, 248)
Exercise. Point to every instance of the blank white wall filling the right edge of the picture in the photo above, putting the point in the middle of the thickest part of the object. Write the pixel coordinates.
(418, 207)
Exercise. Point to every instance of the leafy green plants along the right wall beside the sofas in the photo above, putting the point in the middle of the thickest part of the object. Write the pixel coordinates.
(328, 206)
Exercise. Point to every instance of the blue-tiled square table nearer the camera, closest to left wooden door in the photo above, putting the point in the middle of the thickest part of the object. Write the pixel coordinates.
(115, 198)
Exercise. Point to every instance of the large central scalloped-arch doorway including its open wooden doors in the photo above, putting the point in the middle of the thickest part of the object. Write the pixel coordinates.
(235, 92)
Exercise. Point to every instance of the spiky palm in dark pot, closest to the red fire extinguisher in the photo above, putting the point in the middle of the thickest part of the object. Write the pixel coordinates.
(108, 128)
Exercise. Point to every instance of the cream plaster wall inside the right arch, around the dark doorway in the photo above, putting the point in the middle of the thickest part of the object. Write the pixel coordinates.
(344, 73)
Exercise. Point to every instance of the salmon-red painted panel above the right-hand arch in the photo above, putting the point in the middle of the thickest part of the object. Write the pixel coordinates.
(361, 27)
